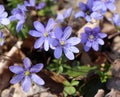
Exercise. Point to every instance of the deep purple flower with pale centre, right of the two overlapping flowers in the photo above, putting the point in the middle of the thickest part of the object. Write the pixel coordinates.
(92, 38)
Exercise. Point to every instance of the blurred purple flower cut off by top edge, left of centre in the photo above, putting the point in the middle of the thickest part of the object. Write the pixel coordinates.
(32, 3)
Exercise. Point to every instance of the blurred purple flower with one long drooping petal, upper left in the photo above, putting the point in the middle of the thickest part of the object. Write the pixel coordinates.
(19, 15)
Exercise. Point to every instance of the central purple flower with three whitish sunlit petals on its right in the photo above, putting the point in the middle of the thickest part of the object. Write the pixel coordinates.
(63, 42)
